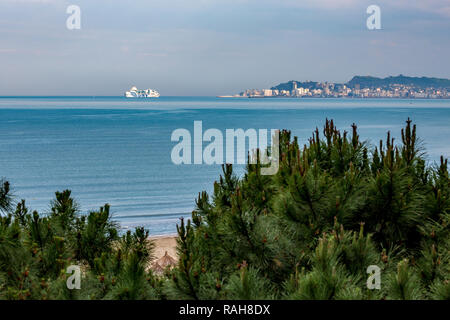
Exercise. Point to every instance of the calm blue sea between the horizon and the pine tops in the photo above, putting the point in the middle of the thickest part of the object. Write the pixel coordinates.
(118, 151)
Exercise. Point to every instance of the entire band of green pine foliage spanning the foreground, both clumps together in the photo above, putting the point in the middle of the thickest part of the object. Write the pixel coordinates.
(335, 207)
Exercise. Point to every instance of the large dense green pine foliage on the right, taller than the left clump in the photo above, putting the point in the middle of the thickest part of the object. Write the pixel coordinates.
(310, 231)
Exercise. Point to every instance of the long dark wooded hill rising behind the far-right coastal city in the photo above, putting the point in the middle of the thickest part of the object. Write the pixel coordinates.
(418, 82)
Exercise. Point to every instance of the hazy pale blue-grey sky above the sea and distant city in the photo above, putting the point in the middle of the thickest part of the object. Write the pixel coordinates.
(214, 47)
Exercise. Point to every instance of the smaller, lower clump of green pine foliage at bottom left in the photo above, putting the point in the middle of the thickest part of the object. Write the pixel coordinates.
(35, 251)
